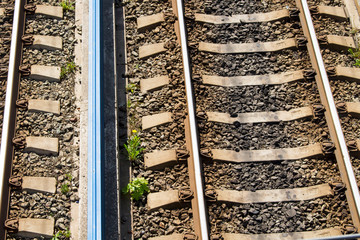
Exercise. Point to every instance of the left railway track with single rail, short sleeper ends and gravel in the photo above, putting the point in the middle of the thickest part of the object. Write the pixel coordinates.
(39, 150)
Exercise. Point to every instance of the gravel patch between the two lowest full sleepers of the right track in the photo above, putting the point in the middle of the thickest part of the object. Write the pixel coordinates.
(310, 215)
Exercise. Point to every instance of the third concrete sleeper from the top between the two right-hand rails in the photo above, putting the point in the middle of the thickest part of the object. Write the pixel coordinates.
(238, 81)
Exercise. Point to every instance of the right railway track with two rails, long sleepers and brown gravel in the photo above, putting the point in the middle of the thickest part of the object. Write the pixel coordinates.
(256, 149)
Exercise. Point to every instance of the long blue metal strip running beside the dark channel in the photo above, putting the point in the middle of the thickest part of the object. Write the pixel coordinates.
(95, 121)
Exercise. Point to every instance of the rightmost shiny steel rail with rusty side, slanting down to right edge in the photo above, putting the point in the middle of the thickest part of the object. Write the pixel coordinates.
(341, 152)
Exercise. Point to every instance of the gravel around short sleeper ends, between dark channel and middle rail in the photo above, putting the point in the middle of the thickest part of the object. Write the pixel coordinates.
(170, 98)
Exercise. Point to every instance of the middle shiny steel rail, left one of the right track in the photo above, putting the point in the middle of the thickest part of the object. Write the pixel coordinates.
(196, 171)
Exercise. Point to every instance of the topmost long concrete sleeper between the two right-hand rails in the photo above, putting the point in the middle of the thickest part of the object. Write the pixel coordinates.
(244, 18)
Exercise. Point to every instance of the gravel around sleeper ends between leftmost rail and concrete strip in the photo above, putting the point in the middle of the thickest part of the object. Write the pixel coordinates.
(64, 166)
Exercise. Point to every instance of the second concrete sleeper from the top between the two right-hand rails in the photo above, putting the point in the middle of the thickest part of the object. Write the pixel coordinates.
(248, 47)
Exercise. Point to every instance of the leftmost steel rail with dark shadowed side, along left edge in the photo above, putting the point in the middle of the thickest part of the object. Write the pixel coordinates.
(13, 79)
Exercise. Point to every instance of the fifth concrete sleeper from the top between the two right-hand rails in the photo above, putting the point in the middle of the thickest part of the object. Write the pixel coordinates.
(312, 150)
